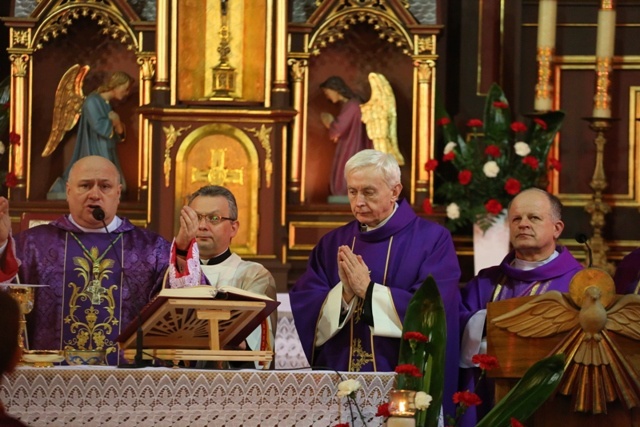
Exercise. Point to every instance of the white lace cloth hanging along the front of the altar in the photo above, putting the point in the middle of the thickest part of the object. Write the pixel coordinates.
(72, 396)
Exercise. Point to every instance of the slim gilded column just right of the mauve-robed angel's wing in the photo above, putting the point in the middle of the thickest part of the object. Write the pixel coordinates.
(424, 138)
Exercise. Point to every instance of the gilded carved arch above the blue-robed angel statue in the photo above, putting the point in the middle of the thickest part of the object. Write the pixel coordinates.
(107, 15)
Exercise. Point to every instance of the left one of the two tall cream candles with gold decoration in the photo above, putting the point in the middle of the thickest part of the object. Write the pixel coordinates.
(547, 11)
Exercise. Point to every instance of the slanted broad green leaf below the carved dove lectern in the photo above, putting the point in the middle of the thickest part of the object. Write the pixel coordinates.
(533, 389)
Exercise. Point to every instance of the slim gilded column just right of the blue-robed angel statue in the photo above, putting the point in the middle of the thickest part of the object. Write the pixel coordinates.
(147, 63)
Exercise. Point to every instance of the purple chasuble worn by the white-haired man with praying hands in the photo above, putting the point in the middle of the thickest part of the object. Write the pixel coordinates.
(415, 248)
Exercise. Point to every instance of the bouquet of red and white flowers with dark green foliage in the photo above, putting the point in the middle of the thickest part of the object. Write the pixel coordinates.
(497, 159)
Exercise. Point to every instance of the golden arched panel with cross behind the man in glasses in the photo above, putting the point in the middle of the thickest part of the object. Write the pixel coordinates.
(221, 154)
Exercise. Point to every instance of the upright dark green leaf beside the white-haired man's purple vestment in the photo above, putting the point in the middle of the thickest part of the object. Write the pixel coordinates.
(425, 314)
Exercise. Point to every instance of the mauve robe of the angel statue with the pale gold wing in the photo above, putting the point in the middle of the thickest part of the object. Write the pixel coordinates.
(351, 137)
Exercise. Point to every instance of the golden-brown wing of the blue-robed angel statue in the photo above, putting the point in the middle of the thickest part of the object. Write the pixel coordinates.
(67, 106)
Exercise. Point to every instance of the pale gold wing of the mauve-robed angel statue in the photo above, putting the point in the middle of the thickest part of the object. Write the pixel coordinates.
(380, 117)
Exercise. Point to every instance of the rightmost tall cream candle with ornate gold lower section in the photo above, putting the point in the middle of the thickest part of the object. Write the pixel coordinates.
(604, 57)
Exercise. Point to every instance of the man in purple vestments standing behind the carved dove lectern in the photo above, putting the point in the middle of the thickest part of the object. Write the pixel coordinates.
(535, 265)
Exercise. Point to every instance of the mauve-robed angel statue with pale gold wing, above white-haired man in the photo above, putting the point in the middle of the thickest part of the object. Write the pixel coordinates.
(347, 130)
